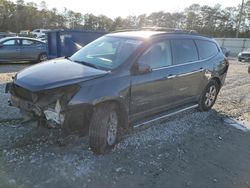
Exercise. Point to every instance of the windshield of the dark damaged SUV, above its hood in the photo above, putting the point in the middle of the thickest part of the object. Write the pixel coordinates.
(106, 52)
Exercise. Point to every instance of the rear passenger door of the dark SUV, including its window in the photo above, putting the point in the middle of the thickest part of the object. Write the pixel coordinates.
(189, 71)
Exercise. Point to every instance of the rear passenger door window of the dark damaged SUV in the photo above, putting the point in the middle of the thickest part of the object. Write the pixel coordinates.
(184, 51)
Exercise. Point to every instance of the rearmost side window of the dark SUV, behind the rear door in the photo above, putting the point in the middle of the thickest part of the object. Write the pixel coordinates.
(206, 49)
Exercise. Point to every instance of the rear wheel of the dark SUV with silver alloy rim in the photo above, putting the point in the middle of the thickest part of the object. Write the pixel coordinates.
(209, 96)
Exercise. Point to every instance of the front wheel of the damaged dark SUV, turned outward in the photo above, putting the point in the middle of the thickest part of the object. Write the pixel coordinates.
(105, 129)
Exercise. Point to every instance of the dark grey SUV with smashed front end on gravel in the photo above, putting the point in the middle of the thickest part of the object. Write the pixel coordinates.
(120, 81)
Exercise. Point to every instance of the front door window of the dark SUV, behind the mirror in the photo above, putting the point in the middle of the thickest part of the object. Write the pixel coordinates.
(157, 56)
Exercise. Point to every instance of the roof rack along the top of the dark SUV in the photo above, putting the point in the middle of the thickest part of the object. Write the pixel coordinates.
(175, 30)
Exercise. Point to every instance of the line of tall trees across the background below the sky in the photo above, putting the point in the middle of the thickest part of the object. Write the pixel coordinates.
(209, 20)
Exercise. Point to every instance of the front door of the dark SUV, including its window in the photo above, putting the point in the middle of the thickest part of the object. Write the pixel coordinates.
(152, 92)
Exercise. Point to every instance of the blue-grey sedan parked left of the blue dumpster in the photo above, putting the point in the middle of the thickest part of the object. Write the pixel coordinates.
(13, 49)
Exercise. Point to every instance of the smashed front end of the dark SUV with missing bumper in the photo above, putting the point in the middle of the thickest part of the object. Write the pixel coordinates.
(49, 107)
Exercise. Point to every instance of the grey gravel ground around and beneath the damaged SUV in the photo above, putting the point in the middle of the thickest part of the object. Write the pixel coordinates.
(191, 149)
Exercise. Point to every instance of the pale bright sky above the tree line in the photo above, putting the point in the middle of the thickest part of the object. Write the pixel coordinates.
(115, 8)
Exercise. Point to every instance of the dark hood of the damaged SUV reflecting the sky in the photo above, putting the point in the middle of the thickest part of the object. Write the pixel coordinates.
(55, 73)
